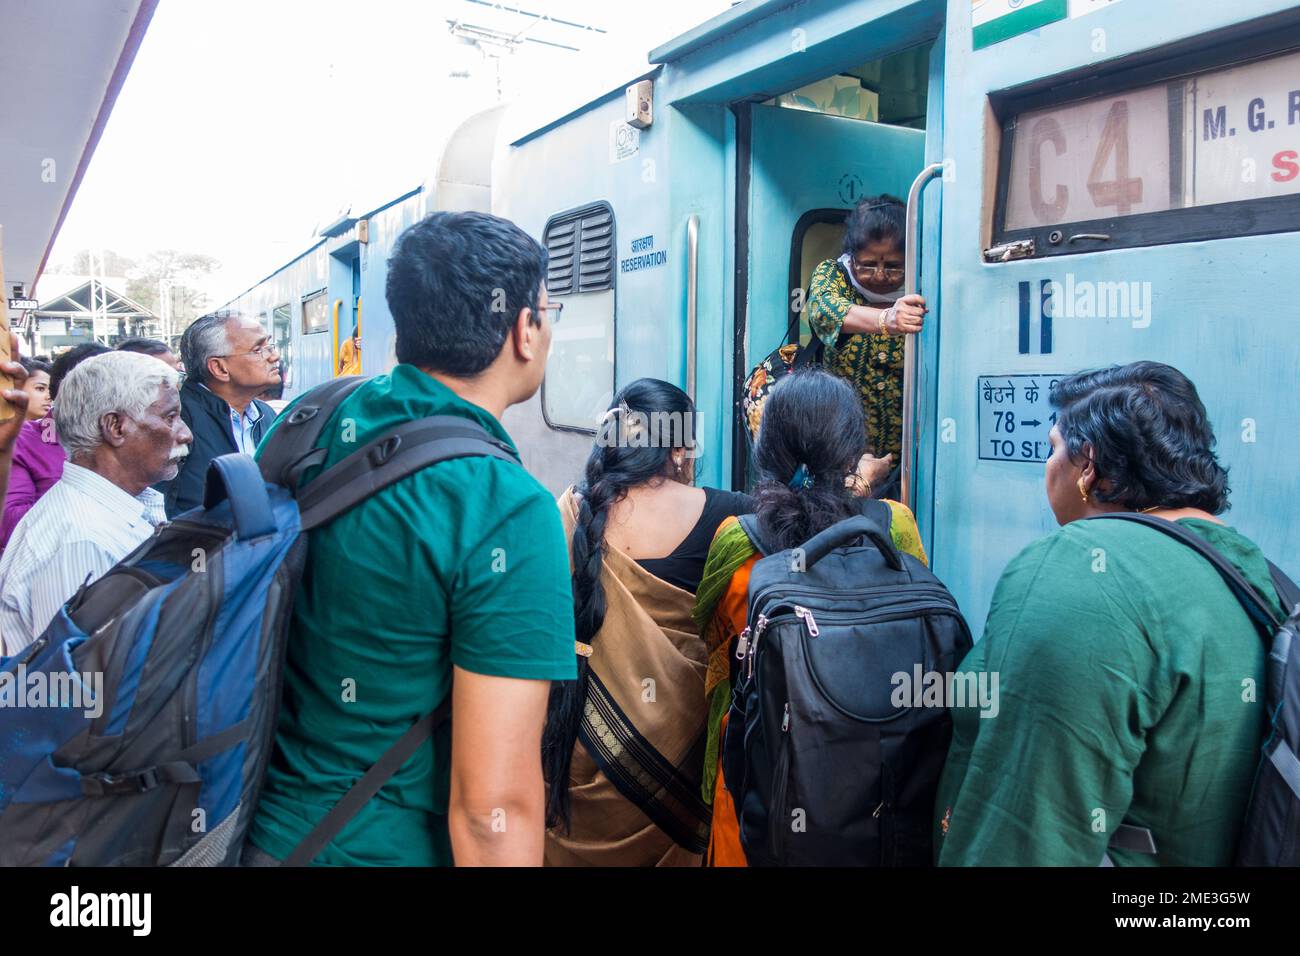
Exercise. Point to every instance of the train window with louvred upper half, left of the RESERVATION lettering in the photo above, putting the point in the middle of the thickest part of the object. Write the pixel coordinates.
(579, 382)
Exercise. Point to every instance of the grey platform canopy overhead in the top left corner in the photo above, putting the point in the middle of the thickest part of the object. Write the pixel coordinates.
(62, 67)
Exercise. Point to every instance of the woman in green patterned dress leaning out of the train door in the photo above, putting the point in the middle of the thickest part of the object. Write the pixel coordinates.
(857, 310)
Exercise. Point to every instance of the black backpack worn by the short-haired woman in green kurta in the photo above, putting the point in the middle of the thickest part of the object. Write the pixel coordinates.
(1271, 836)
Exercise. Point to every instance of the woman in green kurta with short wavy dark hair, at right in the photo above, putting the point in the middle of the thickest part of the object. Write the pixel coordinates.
(1129, 676)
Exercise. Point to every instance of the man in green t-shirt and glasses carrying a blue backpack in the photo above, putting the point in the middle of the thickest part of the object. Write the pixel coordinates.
(453, 581)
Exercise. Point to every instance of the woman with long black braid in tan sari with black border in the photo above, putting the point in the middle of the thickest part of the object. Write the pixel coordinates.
(623, 745)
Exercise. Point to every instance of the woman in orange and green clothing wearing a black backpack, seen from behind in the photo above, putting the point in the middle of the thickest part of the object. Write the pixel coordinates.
(811, 462)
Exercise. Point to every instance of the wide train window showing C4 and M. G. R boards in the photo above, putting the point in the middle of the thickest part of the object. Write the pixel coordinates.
(1194, 157)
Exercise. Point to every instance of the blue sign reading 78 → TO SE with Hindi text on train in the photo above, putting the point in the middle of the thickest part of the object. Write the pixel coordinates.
(1016, 417)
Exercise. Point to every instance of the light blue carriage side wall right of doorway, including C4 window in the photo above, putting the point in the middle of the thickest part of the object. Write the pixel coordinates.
(1124, 187)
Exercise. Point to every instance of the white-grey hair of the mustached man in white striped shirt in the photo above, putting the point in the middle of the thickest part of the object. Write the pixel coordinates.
(127, 383)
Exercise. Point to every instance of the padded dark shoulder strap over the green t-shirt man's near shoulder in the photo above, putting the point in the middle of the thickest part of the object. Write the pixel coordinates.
(392, 457)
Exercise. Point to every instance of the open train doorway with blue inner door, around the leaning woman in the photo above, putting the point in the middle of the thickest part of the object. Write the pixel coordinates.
(805, 159)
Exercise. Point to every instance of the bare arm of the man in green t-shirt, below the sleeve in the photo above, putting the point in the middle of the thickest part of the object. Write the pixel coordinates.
(497, 814)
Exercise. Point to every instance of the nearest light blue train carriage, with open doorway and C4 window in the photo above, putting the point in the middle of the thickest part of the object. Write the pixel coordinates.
(1093, 183)
